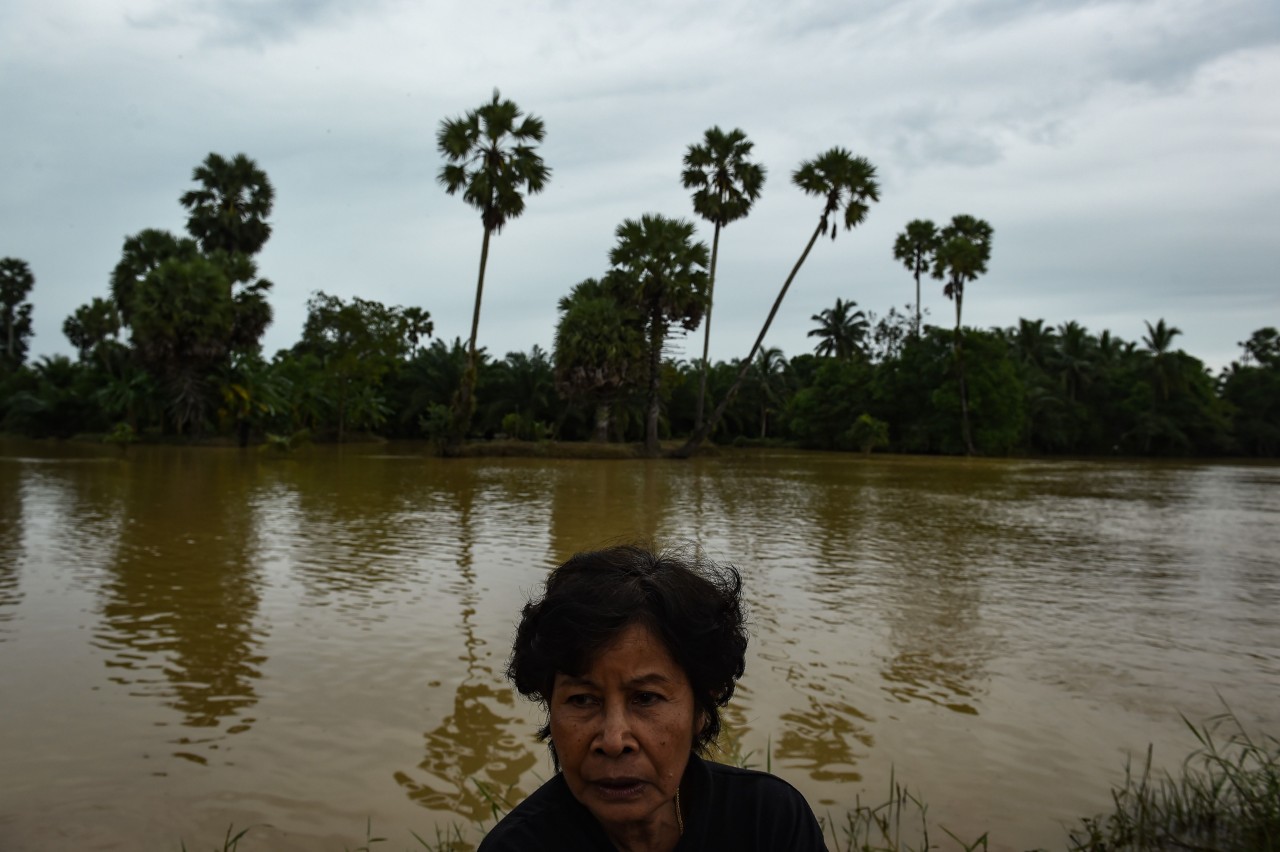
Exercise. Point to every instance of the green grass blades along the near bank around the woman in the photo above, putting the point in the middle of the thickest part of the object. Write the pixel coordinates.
(1224, 799)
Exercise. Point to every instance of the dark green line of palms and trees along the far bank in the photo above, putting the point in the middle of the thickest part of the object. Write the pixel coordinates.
(175, 346)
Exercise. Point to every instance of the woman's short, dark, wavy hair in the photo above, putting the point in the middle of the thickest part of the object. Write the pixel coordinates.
(692, 604)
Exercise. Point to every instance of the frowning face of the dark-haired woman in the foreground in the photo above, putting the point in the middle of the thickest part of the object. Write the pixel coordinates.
(624, 731)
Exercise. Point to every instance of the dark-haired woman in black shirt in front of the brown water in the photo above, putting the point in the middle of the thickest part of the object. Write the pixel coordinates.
(633, 656)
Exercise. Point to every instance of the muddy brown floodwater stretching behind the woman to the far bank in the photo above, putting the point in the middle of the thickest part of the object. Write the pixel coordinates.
(310, 645)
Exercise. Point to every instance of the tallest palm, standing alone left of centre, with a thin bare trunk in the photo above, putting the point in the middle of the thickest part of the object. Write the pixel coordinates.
(491, 157)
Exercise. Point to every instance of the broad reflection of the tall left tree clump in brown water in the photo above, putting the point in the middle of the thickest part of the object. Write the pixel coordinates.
(181, 598)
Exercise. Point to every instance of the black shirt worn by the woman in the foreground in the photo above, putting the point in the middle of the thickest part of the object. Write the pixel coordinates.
(725, 808)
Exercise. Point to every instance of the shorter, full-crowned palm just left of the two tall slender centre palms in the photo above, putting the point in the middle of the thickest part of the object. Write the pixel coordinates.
(661, 272)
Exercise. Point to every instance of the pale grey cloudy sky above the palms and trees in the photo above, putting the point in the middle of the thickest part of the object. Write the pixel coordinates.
(1126, 153)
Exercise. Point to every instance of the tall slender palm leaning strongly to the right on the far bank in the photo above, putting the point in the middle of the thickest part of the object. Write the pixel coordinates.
(845, 184)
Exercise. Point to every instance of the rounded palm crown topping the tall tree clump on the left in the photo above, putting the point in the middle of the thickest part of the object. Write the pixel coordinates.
(228, 213)
